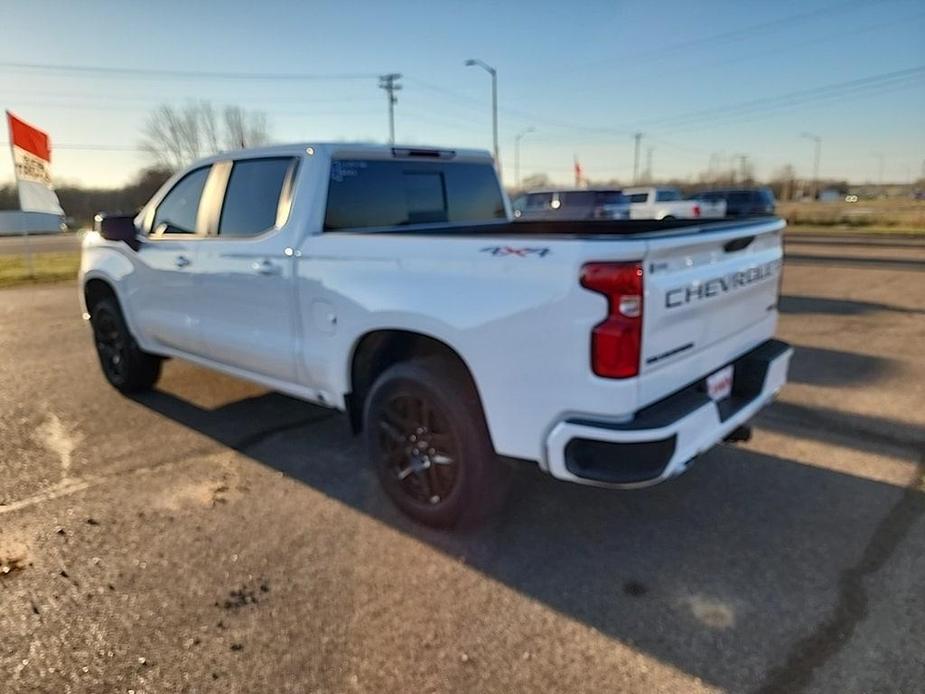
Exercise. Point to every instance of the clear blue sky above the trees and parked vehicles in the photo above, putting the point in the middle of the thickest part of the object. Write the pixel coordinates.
(585, 75)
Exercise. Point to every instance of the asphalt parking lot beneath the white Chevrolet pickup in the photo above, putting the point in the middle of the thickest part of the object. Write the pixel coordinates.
(213, 536)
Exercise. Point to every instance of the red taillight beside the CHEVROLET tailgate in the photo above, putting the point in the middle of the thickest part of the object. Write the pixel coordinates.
(616, 342)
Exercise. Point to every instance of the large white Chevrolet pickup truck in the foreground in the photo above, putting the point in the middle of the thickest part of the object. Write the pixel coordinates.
(390, 283)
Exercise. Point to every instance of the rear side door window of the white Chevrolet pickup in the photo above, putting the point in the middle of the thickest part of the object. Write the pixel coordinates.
(252, 197)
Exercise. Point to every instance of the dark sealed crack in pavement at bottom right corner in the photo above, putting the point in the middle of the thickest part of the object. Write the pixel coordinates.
(811, 652)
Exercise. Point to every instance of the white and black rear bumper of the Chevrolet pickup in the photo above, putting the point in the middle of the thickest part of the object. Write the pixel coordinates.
(660, 441)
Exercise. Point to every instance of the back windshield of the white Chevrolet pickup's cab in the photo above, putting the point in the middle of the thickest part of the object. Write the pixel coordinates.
(377, 193)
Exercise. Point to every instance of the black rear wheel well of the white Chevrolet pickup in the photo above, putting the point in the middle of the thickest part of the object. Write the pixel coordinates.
(377, 351)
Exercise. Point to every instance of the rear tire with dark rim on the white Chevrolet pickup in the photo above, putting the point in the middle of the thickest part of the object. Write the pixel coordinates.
(426, 435)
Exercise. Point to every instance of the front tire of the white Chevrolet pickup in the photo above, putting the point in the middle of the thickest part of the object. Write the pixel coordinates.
(127, 368)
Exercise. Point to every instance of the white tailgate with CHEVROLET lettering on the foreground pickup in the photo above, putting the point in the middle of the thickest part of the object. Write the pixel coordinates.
(704, 289)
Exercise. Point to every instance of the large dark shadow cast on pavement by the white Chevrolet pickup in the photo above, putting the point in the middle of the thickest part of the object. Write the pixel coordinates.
(734, 573)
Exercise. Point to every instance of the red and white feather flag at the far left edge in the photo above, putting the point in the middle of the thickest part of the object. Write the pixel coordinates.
(32, 162)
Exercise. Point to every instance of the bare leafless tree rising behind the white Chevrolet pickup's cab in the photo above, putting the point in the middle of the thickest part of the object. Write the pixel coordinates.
(175, 136)
